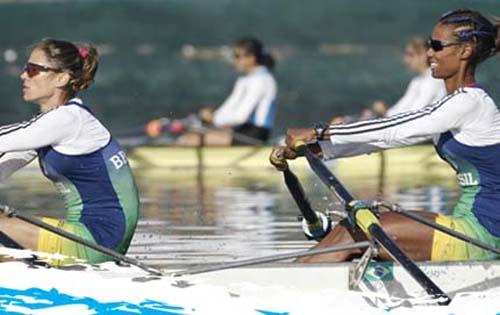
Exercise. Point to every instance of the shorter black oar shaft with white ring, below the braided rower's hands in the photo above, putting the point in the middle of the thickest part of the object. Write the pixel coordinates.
(316, 225)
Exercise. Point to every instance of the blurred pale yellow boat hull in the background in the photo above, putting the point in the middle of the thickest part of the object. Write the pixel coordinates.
(421, 158)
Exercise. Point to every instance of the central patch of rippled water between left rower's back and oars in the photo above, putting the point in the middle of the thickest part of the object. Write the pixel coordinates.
(193, 219)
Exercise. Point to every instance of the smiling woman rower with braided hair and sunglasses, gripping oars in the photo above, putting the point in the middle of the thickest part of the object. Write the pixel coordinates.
(465, 128)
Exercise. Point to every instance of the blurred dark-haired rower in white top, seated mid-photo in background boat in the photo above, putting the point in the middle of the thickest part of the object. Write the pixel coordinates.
(247, 115)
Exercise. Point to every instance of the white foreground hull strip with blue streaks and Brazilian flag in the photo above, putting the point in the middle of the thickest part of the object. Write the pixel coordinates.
(275, 289)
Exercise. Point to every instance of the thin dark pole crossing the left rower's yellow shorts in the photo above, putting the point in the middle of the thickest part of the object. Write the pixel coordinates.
(11, 212)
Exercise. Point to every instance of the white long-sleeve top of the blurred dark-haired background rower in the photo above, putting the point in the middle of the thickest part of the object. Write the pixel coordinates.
(251, 101)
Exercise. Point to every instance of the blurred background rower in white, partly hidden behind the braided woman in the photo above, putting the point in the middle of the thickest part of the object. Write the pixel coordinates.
(422, 90)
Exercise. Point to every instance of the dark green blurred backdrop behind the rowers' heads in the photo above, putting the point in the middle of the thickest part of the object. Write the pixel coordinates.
(167, 58)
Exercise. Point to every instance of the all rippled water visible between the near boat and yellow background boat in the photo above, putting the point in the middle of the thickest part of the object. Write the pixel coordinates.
(189, 218)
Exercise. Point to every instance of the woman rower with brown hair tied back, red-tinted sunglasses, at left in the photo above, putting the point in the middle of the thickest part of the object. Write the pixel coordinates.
(75, 151)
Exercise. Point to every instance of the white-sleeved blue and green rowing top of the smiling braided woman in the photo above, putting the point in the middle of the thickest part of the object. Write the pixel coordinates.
(465, 129)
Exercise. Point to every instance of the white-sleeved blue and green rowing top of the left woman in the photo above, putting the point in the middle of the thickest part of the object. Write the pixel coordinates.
(85, 164)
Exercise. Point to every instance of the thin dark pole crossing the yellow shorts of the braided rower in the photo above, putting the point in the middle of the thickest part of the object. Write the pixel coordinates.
(441, 228)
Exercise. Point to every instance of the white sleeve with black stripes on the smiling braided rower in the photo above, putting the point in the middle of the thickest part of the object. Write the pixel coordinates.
(468, 113)
